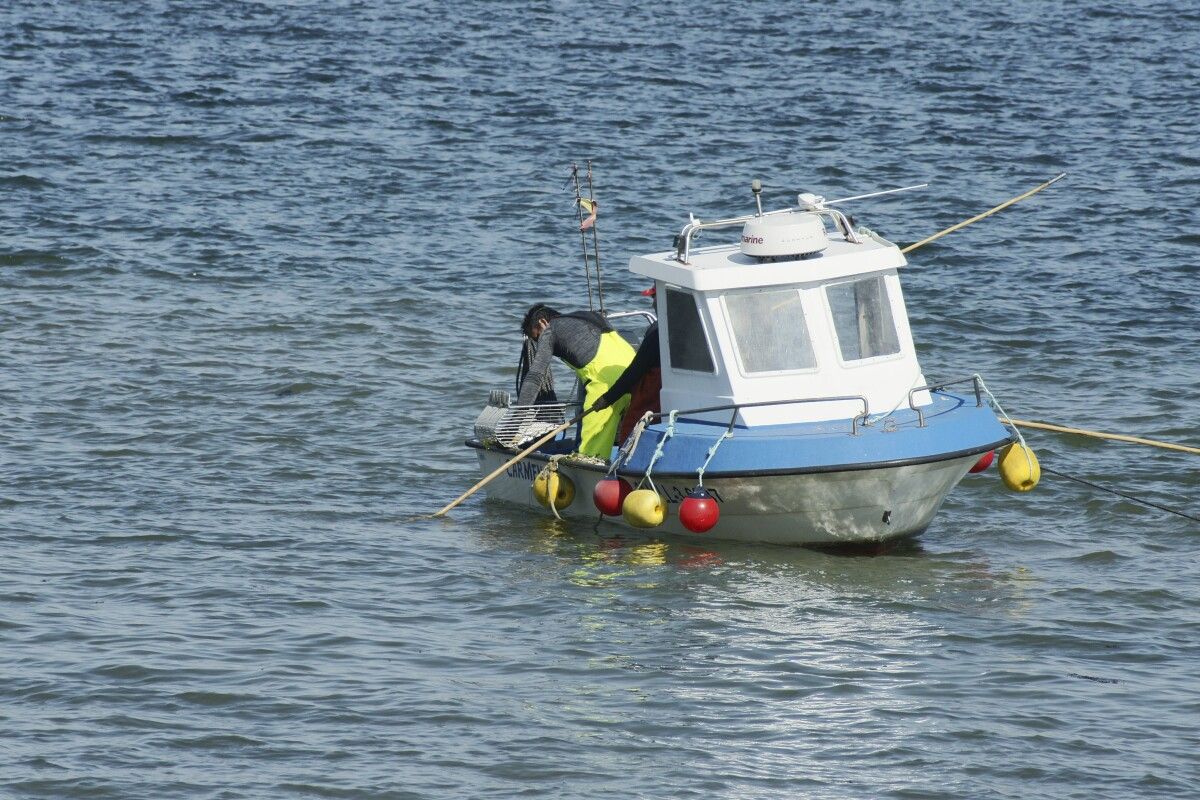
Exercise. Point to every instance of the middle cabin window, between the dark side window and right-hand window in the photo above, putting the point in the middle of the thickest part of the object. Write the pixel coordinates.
(770, 330)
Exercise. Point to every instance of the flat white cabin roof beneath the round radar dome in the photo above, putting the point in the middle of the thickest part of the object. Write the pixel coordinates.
(724, 267)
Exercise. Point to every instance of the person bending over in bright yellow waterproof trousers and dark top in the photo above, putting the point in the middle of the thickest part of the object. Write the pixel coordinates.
(598, 356)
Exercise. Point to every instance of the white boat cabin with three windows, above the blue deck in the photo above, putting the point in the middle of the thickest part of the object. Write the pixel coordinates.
(793, 311)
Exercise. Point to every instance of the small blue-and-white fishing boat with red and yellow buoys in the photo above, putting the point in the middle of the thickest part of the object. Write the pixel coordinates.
(795, 410)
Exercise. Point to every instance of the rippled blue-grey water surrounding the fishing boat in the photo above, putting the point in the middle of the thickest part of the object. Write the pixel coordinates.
(261, 263)
